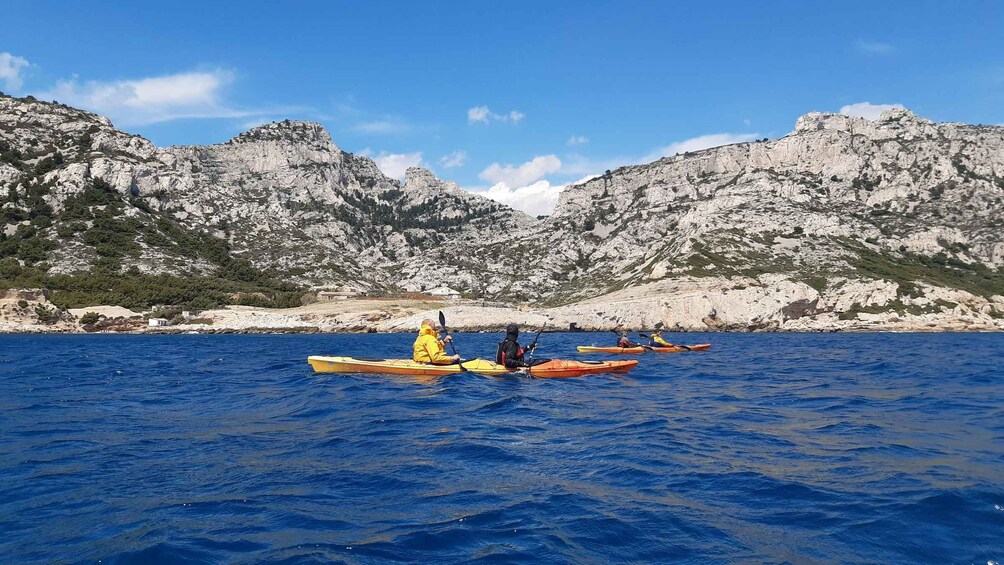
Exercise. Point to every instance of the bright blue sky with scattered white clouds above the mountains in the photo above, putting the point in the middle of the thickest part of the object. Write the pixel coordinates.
(523, 94)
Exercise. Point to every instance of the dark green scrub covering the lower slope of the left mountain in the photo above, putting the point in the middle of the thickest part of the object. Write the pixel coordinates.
(118, 229)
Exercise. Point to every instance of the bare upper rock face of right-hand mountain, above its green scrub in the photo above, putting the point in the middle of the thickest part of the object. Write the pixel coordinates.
(899, 182)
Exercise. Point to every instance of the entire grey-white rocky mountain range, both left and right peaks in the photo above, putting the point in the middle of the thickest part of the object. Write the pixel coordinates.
(843, 219)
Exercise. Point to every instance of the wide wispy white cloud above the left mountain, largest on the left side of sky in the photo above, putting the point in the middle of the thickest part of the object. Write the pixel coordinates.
(196, 95)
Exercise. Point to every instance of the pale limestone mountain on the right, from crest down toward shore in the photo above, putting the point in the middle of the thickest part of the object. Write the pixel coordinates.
(898, 203)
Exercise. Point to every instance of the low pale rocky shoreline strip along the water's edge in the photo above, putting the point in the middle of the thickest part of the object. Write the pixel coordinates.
(769, 304)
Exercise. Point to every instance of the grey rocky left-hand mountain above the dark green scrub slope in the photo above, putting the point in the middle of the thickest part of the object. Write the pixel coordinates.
(284, 195)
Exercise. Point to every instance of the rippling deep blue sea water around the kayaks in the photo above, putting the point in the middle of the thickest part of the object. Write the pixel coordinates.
(770, 448)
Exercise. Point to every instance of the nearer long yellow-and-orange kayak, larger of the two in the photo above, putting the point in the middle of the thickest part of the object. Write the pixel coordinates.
(557, 369)
